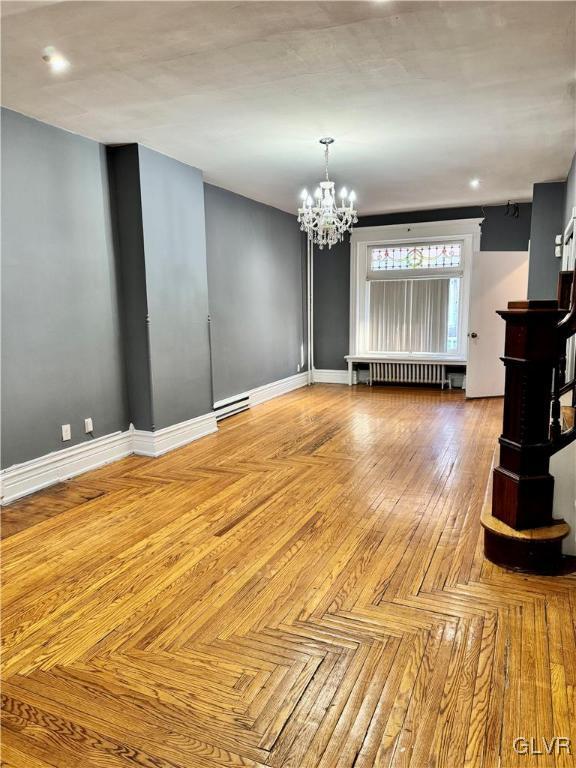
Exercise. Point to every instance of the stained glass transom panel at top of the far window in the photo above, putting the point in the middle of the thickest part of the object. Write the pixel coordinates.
(427, 256)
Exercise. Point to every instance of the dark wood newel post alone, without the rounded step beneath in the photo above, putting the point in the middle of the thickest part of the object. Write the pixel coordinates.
(523, 487)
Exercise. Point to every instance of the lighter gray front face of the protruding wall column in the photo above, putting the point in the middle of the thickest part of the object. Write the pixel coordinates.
(175, 249)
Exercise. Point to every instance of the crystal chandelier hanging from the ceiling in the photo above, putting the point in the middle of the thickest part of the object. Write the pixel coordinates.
(320, 217)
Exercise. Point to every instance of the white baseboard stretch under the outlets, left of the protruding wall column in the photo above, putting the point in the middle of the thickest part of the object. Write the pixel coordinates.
(31, 476)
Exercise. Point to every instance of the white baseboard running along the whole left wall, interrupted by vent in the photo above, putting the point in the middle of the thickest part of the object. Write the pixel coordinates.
(23, 479)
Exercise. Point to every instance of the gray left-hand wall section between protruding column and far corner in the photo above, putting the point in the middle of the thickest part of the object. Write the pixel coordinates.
(255, 281)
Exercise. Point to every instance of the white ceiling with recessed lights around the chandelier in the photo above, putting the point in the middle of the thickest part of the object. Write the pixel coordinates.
(420, 96)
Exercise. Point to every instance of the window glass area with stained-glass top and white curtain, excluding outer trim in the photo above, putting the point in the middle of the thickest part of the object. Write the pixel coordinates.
(414, 298)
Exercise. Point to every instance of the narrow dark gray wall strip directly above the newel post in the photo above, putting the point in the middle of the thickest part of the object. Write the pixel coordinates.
(547, 222)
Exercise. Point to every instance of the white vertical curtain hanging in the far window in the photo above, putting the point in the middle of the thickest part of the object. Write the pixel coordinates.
(409, 315)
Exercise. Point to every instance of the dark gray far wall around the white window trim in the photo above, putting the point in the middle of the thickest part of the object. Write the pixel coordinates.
(332, 270)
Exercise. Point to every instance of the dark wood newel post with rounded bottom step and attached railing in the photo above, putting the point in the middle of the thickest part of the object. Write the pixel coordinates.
(519, 530)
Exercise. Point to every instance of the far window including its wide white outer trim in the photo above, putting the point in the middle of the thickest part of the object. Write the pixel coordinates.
(409, 290)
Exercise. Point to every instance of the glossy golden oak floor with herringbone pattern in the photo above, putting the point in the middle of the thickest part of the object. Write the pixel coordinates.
(304, 589)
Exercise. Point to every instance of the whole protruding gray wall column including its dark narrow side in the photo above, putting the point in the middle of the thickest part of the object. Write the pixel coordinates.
(162, 250)
